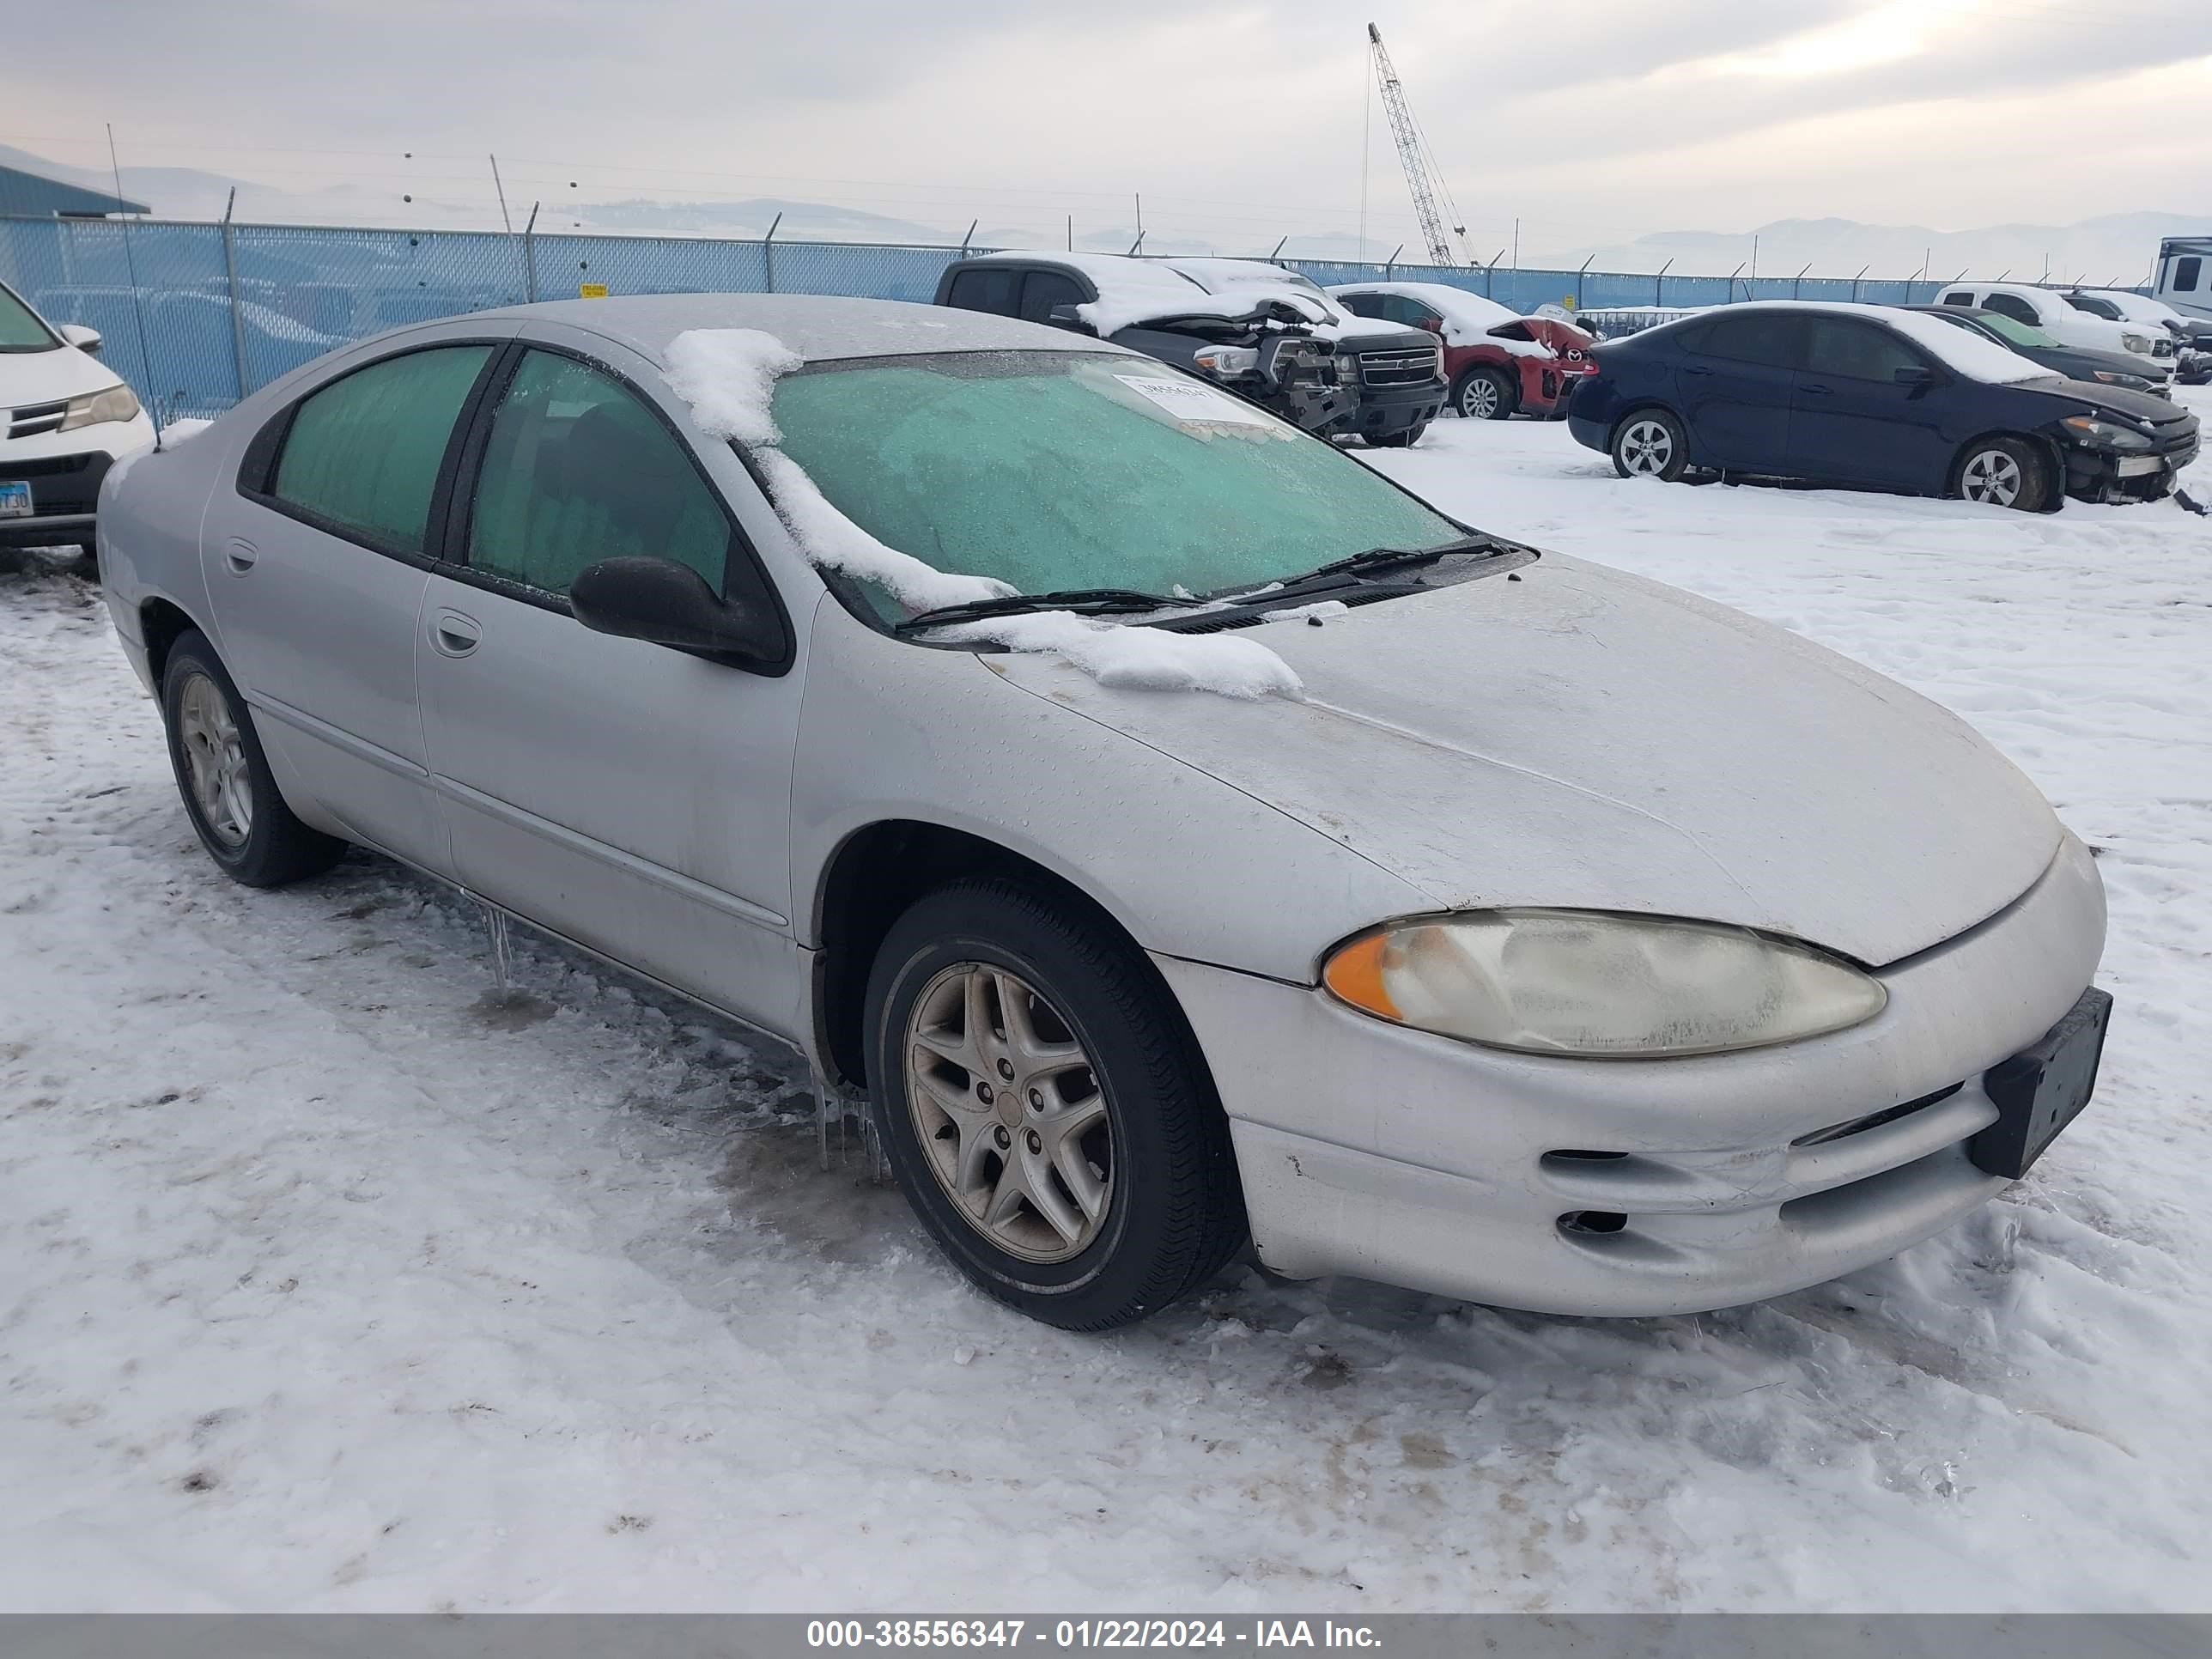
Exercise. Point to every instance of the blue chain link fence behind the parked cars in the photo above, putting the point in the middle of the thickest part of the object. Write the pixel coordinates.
(198, 315)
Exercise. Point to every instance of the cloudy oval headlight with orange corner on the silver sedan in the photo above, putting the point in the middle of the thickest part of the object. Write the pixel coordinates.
(1594, 983)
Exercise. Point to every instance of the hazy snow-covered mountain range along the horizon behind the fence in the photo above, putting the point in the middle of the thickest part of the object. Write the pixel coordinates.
(2111, 249)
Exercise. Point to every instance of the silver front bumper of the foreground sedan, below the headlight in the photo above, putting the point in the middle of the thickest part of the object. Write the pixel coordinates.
(1463, 1171)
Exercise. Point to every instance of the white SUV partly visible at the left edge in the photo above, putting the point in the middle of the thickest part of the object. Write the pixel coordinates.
(63, 424)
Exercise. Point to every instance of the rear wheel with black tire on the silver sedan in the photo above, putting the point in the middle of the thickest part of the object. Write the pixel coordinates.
(225, 775)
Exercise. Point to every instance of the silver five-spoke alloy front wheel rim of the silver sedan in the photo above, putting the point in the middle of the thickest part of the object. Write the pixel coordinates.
(1010, 1112)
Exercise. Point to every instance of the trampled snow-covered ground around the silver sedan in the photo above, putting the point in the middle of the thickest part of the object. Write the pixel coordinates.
(335, 1280)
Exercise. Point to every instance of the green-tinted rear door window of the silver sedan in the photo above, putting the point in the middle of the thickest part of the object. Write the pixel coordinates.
(364, 452)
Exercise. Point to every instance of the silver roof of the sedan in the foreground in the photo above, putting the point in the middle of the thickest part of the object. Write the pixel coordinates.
(815, 326)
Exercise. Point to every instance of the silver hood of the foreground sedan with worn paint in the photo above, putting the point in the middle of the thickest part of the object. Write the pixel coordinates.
(1592, 740)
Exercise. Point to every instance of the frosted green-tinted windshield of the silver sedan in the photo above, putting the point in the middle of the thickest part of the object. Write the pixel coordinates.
(1081, 470)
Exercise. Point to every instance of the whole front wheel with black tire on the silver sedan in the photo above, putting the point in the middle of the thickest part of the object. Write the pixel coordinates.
(1140, 1171)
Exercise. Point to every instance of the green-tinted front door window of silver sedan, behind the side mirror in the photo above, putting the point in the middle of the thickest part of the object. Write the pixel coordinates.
(581, 470)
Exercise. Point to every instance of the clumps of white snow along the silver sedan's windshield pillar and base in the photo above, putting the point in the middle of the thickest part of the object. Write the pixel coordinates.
(729, 379)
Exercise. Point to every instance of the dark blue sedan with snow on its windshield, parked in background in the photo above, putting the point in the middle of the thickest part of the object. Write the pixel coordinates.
(1870, 397)
